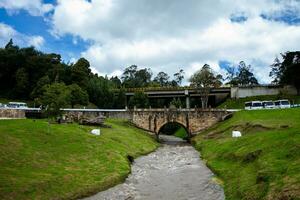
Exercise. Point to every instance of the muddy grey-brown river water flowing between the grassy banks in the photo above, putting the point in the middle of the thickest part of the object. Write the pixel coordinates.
(174, 171)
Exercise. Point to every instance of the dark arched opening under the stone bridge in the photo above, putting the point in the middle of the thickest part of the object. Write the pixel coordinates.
(174, 129)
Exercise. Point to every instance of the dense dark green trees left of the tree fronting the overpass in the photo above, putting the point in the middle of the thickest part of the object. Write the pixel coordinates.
(28, 74)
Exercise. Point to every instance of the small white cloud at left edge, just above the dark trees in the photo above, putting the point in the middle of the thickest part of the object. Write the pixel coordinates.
(7, 32)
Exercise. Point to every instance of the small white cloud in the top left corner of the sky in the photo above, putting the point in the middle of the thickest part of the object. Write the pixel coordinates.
(34, 7)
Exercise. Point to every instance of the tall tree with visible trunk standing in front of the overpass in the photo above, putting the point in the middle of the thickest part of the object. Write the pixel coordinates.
(203, 80)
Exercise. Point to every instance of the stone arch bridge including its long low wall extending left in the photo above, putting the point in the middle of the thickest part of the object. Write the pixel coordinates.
(193, 120)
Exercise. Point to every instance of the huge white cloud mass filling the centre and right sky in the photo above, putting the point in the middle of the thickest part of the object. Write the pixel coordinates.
(169, 35)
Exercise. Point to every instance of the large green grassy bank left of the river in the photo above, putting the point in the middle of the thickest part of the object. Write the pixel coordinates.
(38, 161)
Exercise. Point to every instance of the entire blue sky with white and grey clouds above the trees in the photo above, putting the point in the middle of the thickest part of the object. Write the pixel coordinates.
(163, 35)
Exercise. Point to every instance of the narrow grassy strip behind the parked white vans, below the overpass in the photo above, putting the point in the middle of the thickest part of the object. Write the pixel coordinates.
(240, 103)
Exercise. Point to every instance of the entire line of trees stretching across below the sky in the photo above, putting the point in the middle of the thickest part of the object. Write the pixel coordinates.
(29, 74)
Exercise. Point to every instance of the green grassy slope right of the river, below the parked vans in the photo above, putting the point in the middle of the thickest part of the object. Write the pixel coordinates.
(264, 163)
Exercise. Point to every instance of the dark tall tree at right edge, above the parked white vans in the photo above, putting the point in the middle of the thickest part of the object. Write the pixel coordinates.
(287, 71)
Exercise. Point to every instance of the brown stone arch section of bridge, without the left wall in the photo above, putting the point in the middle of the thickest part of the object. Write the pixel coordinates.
(193, 120)
